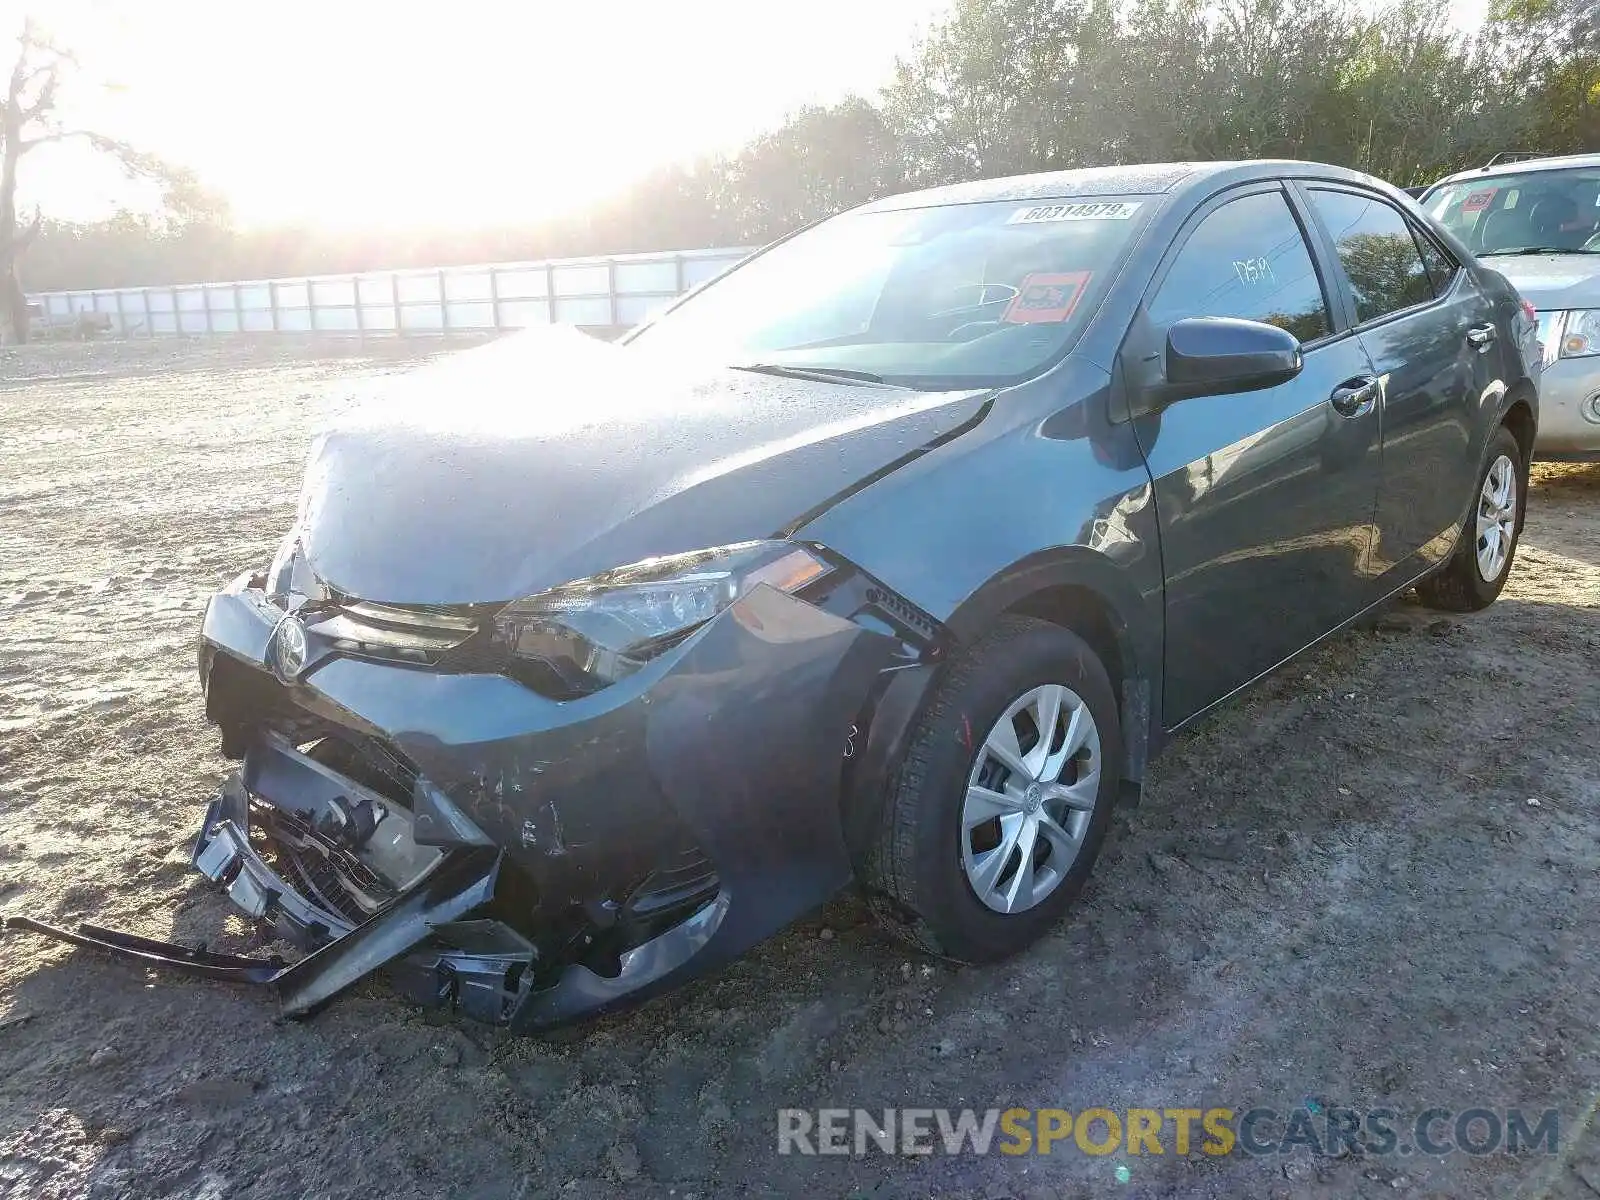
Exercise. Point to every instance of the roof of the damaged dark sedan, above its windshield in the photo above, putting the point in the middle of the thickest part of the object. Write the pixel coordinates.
(1142, 180)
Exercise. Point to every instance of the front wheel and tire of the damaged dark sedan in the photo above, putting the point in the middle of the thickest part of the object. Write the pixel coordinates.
(921, 873)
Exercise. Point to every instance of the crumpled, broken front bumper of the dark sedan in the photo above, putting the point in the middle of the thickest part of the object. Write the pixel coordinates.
(546, 814)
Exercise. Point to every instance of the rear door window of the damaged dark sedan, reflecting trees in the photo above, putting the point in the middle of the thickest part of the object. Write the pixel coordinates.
(1377, 250)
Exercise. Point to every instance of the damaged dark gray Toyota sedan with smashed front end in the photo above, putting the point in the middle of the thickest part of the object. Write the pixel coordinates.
(892, 556)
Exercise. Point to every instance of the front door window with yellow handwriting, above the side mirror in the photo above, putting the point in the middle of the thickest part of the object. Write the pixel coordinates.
(1247, 260)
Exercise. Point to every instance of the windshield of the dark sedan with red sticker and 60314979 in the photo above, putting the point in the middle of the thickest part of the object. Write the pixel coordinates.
(953, 297)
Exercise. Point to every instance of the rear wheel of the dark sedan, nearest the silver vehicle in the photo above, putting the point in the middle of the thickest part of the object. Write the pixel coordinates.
(1479, 569)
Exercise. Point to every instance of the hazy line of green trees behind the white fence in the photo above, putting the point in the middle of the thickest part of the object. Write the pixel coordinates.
(1002, 87)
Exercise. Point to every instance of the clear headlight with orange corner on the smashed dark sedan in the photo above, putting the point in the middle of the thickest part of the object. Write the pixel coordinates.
(598, 631)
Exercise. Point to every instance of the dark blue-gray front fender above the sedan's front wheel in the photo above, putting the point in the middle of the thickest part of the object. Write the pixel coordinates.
(959, 532)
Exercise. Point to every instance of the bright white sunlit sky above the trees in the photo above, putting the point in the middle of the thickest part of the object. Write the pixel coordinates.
(446, 113)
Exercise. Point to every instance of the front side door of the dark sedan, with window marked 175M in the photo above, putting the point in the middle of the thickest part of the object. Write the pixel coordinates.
(1265, 498)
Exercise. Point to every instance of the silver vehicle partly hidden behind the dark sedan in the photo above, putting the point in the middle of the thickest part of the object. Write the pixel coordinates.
(1538, 223)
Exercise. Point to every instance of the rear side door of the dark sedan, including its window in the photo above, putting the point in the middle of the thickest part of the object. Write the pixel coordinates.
(1430, 335)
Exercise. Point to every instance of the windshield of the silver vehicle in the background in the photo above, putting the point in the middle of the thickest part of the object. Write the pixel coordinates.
(1556, 212)
